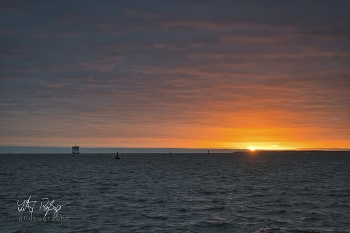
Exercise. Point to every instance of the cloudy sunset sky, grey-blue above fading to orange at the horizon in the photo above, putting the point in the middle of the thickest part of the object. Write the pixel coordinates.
(175, 74)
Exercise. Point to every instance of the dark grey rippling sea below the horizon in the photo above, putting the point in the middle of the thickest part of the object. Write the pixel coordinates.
(260, 191)
